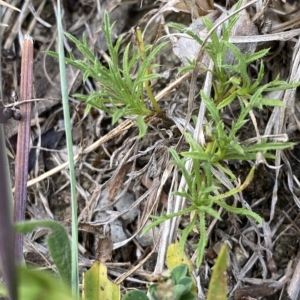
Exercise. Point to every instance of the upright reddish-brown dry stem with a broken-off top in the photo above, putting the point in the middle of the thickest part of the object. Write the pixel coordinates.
(23, 143)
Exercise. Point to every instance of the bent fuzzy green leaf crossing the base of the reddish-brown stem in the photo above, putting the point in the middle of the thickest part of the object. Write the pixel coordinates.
(58, 244)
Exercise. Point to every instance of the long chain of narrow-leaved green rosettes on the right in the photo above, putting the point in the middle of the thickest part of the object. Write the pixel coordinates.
(230, 83)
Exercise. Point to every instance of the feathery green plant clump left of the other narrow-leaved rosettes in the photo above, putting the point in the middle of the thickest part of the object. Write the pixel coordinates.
(121, 88)
